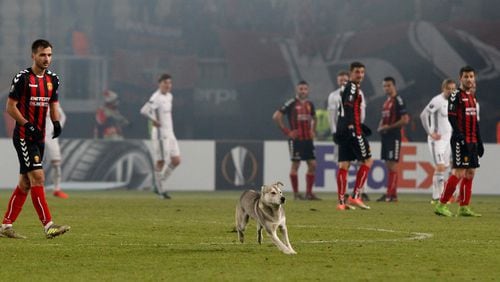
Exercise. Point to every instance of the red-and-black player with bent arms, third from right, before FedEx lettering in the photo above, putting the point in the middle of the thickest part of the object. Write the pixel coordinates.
(394, 117)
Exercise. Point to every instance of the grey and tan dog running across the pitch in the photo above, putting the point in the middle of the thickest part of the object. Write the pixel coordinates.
(267, 209)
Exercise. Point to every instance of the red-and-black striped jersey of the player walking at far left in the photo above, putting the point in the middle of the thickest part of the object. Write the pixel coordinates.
(33, 94)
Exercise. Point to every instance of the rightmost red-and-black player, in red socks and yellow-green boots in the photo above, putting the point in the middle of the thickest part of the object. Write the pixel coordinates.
(466, 144)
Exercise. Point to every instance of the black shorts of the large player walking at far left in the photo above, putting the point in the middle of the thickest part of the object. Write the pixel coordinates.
(30, 155)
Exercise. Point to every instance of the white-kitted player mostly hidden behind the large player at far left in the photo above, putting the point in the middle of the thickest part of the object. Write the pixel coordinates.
(53, 150)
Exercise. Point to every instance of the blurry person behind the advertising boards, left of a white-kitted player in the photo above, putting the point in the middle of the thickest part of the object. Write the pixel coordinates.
(109, 120)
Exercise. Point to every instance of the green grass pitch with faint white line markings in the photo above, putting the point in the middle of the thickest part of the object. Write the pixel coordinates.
(134, 236)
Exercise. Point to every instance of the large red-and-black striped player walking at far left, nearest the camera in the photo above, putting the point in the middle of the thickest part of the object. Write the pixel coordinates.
(33, 92)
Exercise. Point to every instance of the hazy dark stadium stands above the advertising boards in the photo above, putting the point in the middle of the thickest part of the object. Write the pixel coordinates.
(234, 62)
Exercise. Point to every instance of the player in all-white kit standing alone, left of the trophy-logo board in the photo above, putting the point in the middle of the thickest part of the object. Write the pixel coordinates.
(166, 148)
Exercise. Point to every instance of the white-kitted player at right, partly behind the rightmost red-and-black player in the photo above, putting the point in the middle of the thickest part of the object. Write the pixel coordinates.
(434, 119)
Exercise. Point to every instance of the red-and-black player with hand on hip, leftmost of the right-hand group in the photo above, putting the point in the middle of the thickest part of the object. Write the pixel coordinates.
(302, 120)
